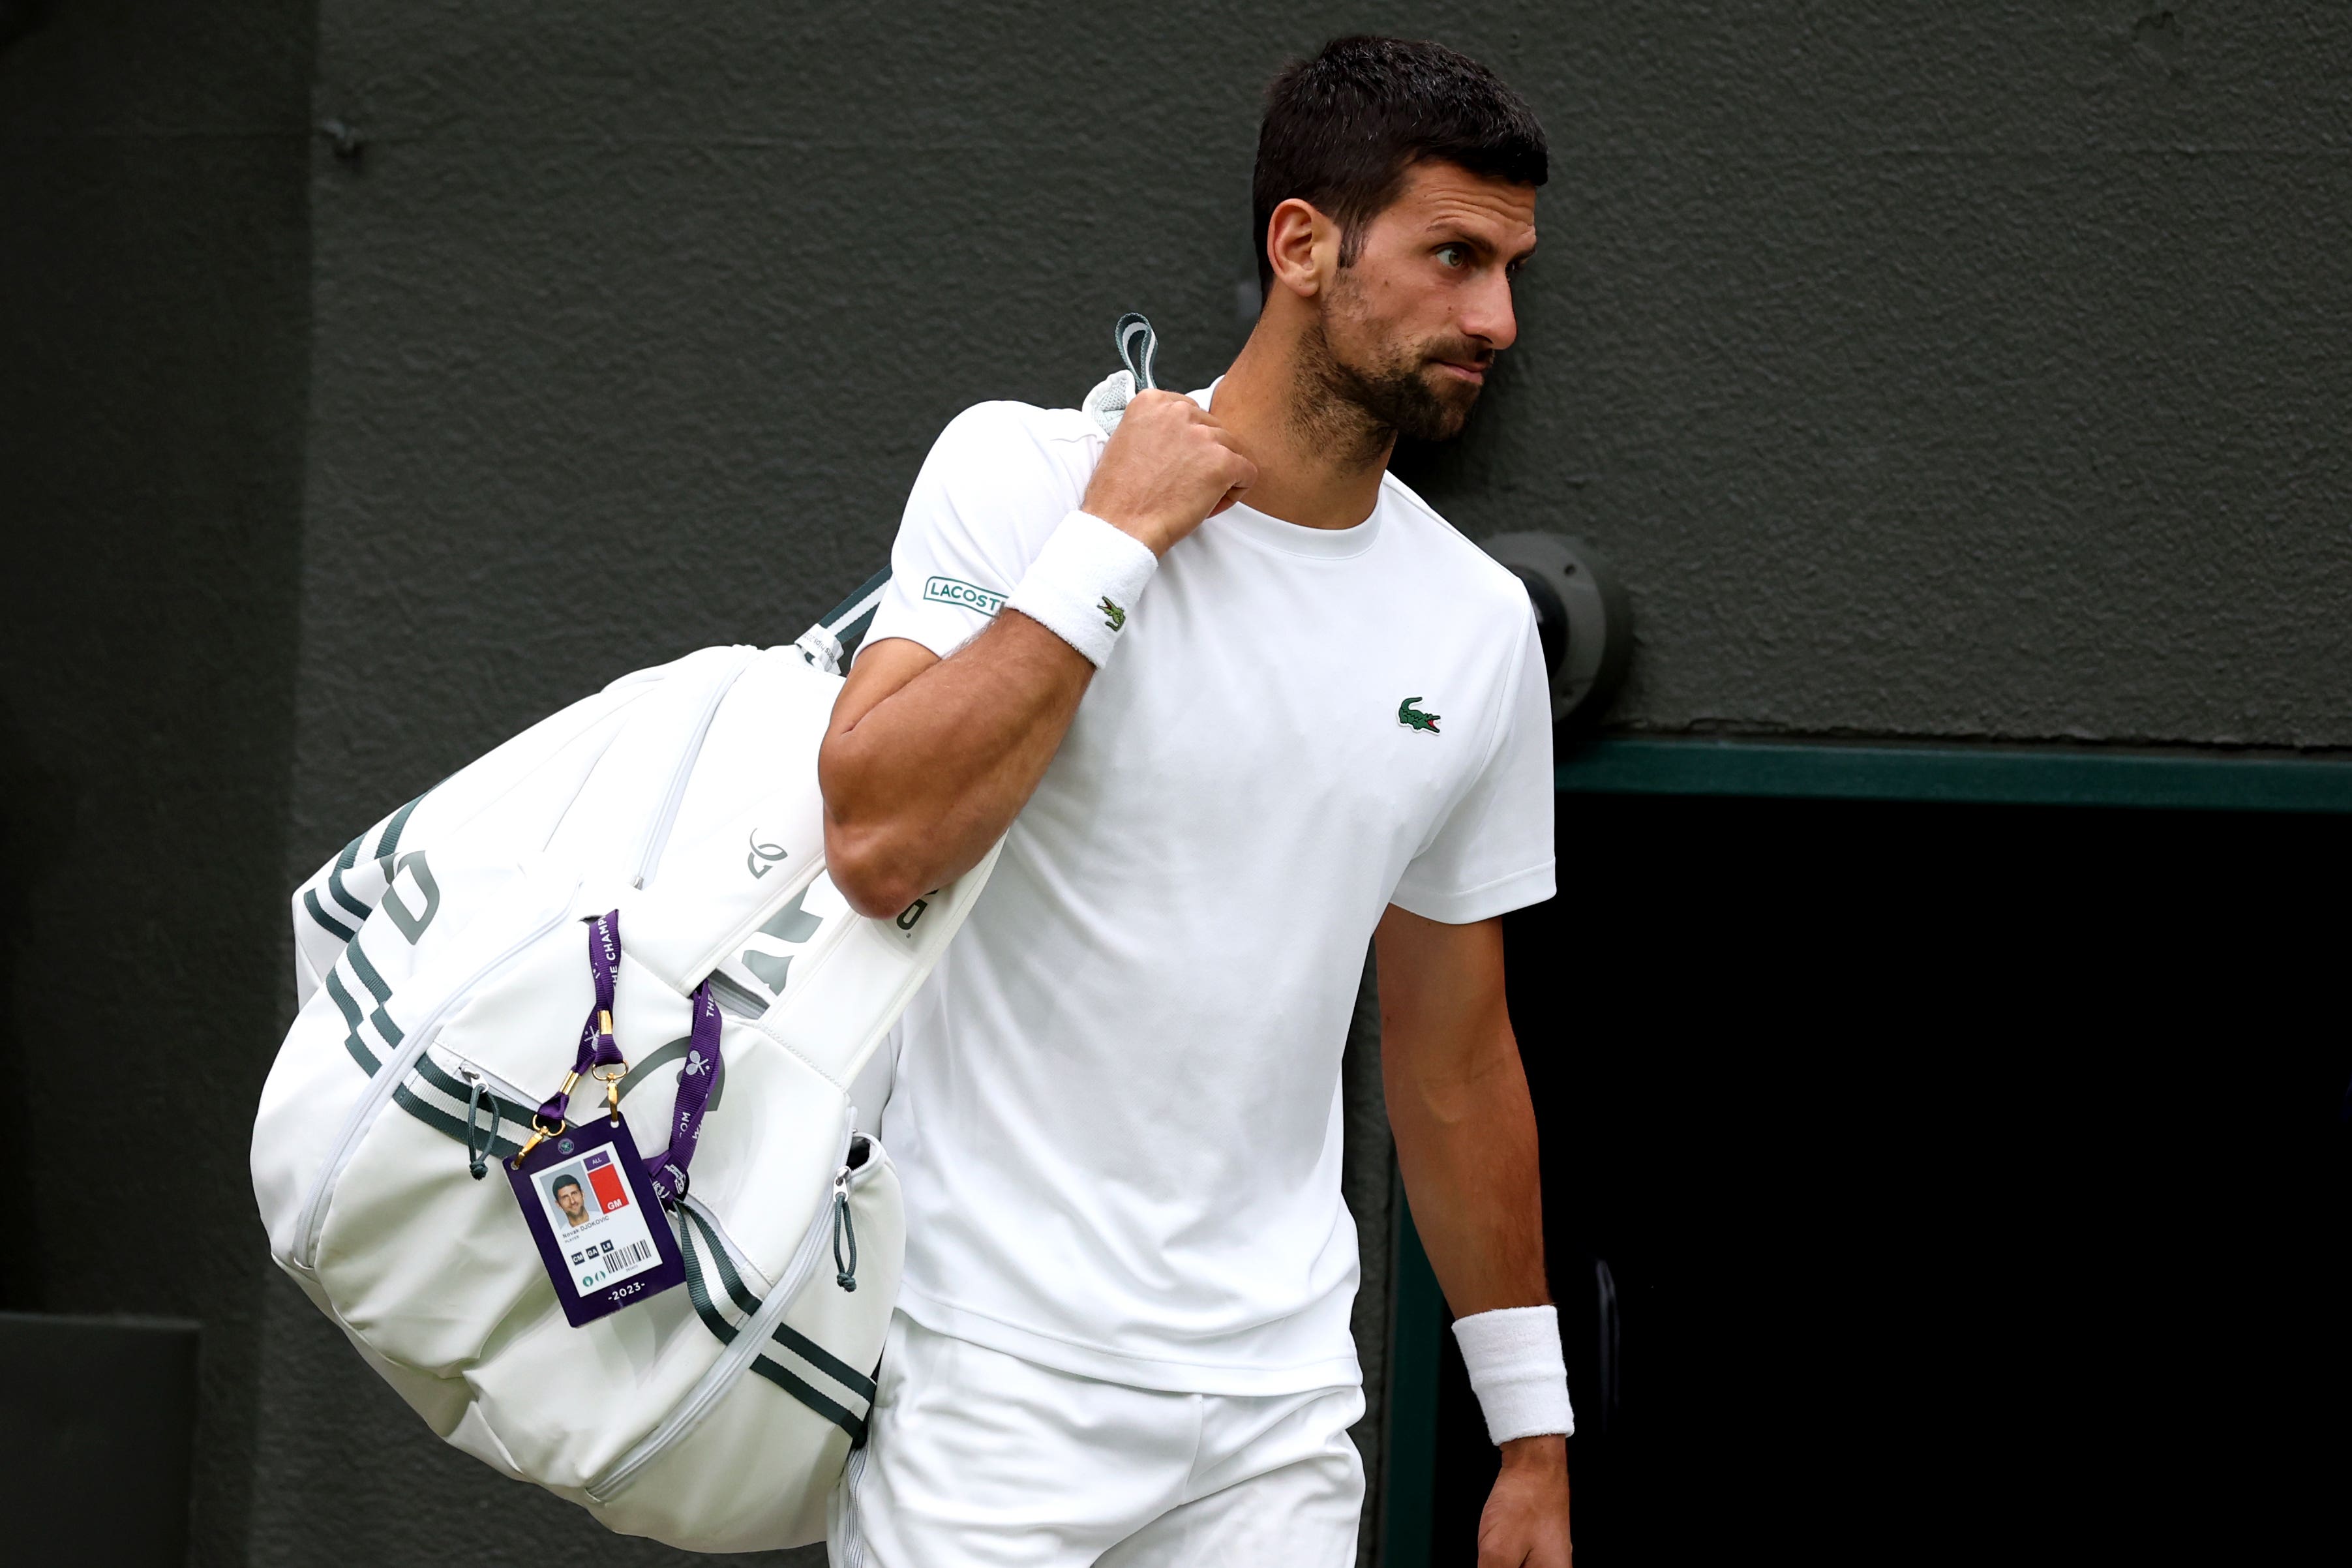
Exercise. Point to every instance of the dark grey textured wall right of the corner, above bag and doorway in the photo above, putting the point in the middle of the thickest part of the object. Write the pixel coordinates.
(1951, 375)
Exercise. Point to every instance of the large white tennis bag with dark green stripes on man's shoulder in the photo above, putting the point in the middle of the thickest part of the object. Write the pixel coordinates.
(443, 970)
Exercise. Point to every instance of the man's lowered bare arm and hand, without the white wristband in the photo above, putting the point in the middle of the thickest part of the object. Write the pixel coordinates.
(1466, 1146)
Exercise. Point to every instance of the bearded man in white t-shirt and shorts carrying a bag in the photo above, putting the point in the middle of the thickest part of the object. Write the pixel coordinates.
(1123, 1334)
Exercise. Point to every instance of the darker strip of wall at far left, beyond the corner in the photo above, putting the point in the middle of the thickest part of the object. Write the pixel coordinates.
(154, 269)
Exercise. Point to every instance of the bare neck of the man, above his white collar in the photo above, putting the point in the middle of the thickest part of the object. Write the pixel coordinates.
(1318, 462)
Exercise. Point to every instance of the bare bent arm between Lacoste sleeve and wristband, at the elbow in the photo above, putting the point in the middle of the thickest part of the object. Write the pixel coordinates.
(930, 760)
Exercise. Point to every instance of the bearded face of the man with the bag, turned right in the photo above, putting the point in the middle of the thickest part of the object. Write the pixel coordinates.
(1419, 316)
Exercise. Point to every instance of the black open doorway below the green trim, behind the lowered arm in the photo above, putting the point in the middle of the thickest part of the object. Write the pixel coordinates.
(1970, 1179)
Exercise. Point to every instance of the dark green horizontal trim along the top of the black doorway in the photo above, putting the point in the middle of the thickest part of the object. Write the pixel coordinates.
(1989, 775)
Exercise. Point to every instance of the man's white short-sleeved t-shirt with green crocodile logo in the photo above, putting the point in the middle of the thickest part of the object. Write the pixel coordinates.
(1118, 1099)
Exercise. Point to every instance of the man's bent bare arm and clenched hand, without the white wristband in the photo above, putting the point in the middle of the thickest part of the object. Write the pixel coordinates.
(928, 760)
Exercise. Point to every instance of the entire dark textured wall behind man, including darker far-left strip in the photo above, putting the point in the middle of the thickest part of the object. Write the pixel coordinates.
(1927, 373)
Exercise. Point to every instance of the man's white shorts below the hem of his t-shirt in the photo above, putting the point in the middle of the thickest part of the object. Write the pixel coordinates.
(987, 1459)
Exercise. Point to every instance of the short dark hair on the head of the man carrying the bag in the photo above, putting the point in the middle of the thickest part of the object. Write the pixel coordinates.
(1344, 128)
